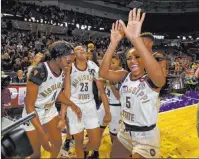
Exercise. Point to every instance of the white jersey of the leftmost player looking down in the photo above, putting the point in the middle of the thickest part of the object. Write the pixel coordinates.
(49, 90)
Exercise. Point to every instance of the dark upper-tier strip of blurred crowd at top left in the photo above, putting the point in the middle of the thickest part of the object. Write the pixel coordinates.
(53, 13)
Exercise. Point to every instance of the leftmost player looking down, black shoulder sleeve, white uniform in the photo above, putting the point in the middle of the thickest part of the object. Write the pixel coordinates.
(43, 89)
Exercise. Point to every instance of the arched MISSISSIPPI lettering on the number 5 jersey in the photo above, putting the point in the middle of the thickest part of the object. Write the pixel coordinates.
(137, 91)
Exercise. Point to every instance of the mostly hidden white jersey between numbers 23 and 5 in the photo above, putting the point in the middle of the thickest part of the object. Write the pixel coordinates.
(110, 95)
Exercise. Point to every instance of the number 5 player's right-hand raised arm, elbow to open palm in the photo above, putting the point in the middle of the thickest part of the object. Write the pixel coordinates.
(132, 32)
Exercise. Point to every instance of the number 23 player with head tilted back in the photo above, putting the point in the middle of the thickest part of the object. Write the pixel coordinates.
(79, 89)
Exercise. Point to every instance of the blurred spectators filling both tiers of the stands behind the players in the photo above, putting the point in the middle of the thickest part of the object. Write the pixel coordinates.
(18, 47)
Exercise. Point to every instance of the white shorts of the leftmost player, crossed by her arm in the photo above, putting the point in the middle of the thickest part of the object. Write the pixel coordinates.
(44, 117)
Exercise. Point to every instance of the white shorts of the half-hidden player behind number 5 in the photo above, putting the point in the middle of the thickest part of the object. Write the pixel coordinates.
(114, 125)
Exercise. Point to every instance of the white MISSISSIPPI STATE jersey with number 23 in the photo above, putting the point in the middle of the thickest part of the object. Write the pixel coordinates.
(82, 82)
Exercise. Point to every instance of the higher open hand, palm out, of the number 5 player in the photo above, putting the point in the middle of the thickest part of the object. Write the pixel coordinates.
(135, 20)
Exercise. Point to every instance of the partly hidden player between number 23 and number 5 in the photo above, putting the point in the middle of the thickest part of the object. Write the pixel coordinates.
(112, 92)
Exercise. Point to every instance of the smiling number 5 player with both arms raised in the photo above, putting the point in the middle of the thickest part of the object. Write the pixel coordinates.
(139, 135)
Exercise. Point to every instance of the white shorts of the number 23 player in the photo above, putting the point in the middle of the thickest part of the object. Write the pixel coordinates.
(89, 118)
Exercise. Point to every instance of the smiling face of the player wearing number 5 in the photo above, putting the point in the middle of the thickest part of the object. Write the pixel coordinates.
(135, 62)
